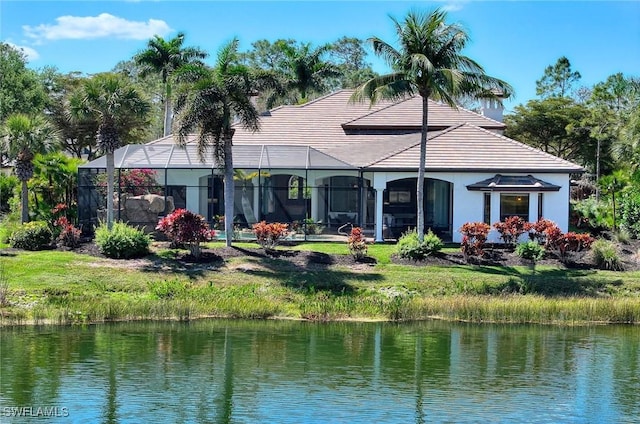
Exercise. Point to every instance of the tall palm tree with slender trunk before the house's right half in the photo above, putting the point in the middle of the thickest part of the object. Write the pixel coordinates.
(429, 62)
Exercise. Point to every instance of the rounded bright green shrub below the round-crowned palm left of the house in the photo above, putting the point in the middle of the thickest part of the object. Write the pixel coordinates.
(123, 241)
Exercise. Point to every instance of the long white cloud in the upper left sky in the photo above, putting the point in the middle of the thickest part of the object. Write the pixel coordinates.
(89, 27)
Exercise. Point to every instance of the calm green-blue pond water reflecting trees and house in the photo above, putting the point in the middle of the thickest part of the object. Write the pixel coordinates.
(219, 371)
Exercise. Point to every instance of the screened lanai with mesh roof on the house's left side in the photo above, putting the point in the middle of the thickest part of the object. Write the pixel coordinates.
(313, 192)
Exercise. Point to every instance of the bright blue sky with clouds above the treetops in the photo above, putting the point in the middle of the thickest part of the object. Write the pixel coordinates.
(513, 40)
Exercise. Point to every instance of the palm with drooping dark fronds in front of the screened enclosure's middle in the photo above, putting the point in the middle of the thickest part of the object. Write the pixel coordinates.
(209, 106)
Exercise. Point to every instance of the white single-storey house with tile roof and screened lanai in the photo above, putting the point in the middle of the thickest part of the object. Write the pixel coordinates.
(339, 163)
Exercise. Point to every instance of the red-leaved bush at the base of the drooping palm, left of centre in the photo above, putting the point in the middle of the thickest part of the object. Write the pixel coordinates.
(185, 227)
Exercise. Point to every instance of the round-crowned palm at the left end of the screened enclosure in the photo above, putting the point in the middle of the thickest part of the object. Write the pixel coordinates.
(119, 109)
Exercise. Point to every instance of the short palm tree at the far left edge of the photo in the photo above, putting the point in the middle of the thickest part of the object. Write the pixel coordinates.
(23, 137)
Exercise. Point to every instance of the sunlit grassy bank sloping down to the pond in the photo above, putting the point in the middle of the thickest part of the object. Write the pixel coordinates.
(65, 287)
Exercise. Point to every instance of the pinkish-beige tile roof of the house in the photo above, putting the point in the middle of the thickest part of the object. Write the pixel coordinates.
(387, 135)
